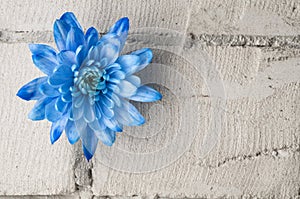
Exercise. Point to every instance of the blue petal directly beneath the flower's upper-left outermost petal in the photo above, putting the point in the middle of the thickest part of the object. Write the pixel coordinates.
(46, 63)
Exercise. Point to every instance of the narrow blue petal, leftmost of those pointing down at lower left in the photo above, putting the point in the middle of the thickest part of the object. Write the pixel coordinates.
(58, 127)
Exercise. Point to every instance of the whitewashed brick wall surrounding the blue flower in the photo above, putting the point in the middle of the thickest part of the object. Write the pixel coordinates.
(228, 125)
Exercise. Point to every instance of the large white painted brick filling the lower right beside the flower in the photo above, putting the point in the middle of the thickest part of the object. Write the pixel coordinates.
(242, 163)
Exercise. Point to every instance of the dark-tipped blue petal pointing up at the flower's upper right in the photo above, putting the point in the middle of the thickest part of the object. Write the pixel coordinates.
(121, 28)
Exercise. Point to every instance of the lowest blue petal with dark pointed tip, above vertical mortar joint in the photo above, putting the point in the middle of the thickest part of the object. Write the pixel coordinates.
(89, 142)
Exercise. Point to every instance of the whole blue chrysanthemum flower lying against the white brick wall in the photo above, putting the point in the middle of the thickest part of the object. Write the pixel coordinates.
(88, 84)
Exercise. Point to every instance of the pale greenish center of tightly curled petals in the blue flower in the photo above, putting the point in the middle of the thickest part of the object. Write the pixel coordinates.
(91, 80)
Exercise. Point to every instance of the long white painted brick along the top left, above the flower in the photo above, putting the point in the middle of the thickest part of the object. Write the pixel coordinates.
(40, 15)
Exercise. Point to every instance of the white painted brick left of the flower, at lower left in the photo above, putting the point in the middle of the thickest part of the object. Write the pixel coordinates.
(30, 165)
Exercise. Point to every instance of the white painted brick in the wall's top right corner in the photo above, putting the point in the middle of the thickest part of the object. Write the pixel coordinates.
(257, 17)
